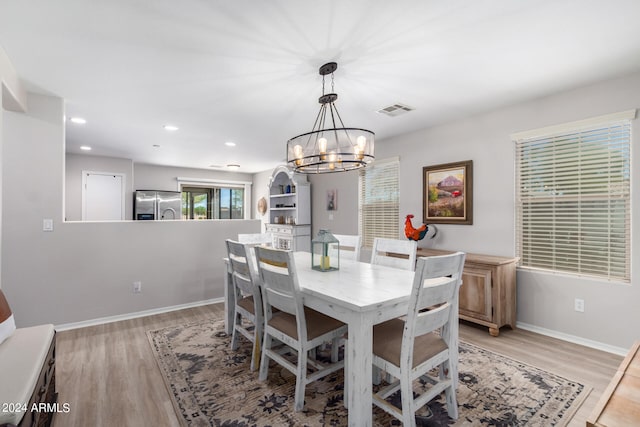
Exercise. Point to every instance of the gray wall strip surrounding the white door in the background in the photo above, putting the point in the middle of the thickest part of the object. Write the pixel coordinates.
(76, 163)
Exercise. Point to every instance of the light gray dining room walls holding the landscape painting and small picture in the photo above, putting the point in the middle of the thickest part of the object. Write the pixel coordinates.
(545, 301)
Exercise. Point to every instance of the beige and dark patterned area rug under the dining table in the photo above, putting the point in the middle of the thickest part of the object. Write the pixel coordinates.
(211, 385)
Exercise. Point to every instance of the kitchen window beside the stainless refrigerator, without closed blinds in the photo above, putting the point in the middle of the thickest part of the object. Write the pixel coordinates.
(212, 203)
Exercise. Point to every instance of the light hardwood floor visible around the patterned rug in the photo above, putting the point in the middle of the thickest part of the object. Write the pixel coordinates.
(108, 375)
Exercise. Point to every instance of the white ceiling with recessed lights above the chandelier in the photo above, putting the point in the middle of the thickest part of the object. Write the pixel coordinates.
(247, 71)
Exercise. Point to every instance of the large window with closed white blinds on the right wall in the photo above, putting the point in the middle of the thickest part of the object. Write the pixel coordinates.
(573, 197)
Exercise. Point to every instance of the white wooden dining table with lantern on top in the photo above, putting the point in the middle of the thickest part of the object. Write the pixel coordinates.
(361, 295)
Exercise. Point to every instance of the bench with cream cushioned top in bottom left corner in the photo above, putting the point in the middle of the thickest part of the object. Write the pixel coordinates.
(27, 373)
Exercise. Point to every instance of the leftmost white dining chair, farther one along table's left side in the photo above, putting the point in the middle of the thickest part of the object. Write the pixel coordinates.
(248, 299)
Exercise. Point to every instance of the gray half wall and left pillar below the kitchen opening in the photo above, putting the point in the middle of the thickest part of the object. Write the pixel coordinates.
(84, 271)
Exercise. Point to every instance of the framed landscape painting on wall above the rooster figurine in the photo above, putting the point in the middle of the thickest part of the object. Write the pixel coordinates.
(447, 193)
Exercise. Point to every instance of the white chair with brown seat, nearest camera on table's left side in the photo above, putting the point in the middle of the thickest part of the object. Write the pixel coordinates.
(301, 329)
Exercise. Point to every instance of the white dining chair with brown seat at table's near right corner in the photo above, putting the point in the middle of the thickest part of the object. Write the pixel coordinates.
(408, 348)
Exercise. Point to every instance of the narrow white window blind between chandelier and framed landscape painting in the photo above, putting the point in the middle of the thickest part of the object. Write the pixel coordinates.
(378, 201)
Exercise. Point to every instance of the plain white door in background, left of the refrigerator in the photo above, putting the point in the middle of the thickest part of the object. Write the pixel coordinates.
(102, 196)
